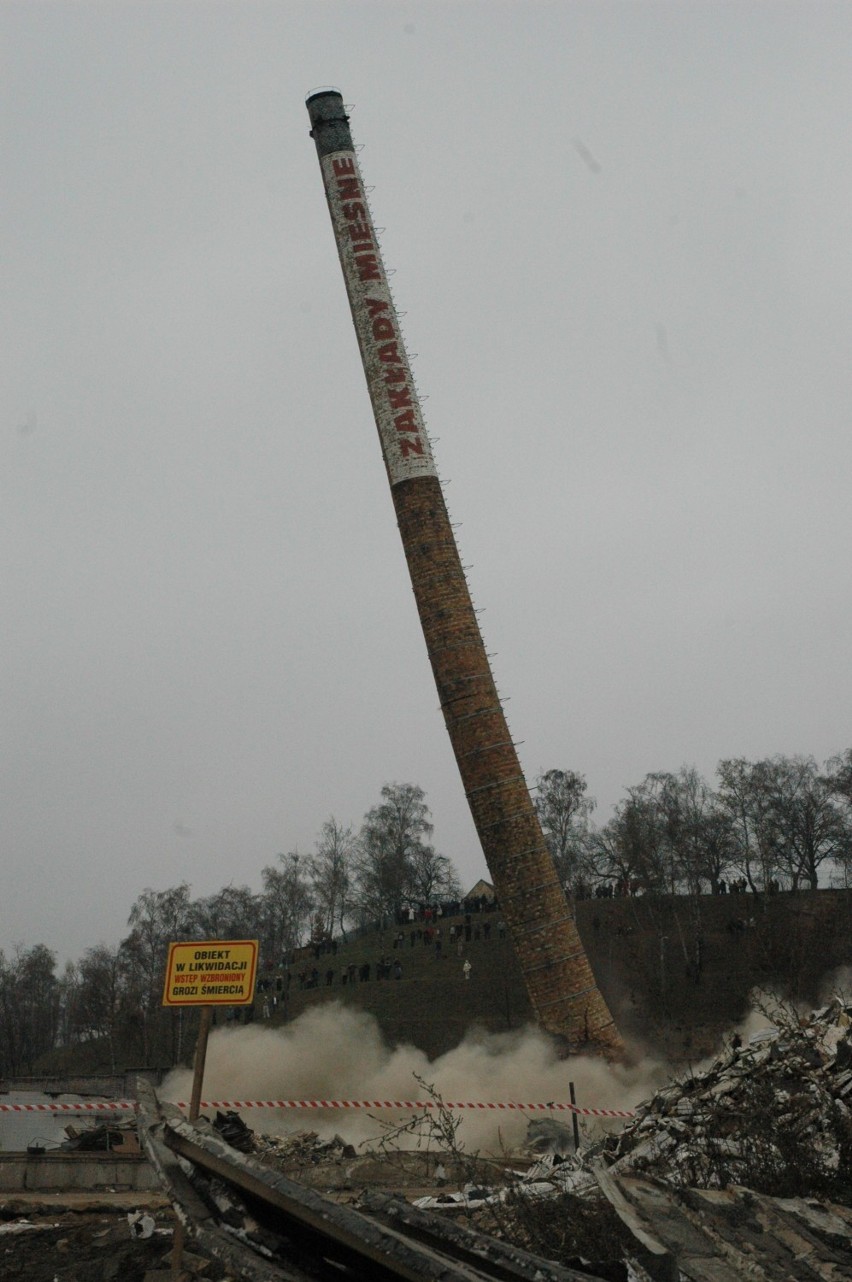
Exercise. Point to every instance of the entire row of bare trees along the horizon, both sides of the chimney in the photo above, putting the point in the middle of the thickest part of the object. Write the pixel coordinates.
(777, 824)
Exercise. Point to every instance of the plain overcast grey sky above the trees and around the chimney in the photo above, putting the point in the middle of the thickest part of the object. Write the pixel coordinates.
(622, 238)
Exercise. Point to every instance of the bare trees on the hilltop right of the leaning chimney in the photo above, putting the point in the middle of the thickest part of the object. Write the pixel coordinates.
(778, 824)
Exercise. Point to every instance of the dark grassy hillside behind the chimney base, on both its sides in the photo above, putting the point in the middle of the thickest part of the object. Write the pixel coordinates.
(677, 971)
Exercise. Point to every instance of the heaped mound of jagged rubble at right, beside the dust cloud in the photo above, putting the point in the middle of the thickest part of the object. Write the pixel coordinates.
(773, 1115)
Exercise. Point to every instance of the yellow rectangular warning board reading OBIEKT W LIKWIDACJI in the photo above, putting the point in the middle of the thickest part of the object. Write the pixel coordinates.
(211, 974)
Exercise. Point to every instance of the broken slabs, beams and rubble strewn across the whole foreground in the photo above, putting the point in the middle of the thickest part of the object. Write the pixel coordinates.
(740, 1170)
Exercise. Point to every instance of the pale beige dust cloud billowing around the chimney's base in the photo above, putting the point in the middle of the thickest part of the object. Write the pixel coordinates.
(338, 1053)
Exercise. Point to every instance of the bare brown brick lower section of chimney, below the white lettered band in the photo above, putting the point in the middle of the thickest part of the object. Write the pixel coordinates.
(553, 960)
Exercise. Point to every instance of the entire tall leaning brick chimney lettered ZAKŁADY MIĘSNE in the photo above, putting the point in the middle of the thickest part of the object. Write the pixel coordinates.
(553, 960)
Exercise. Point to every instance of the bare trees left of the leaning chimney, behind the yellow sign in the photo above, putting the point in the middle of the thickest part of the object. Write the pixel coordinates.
(111, 999)
